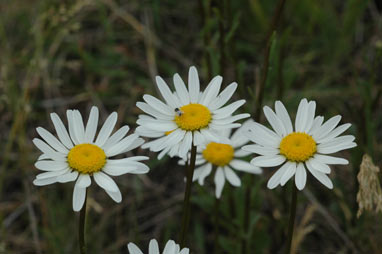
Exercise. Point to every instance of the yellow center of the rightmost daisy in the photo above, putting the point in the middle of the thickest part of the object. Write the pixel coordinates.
(298, 146)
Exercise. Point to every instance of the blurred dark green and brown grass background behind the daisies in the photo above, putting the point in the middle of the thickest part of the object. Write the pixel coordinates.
(56, 55)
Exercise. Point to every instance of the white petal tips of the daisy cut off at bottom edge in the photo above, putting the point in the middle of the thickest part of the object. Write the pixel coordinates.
(170, 248)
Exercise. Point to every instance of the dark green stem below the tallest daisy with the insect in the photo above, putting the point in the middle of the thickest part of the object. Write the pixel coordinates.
(187, 194)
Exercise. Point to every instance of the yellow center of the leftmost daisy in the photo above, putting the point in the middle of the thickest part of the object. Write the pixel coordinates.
(86, 158)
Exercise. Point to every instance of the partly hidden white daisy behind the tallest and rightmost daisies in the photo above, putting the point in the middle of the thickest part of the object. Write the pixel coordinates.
(224, 158)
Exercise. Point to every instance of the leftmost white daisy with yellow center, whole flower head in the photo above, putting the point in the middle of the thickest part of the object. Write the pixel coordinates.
(77, 155)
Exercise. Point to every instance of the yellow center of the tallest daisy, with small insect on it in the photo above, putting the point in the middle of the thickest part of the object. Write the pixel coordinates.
(193, 117)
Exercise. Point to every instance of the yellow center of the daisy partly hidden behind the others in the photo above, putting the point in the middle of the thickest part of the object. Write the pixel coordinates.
(218, 154)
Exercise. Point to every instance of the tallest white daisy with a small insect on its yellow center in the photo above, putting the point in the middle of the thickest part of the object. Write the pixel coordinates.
(187, 116)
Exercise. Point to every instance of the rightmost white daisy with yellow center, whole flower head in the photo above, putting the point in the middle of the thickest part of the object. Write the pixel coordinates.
(305, 147)
